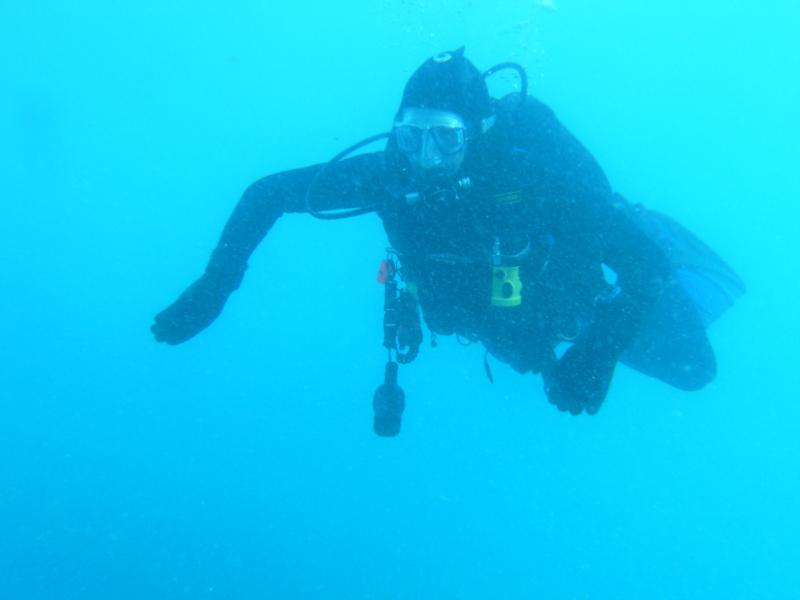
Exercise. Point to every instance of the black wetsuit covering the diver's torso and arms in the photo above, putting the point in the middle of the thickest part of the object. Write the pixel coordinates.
(529, 188)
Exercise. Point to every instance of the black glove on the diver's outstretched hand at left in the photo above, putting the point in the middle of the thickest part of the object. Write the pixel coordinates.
(193, 311)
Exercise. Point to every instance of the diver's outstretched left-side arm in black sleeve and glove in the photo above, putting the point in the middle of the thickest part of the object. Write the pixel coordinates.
(352, 183)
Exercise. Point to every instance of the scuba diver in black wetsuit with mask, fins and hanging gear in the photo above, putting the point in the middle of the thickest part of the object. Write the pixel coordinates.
(505, 231)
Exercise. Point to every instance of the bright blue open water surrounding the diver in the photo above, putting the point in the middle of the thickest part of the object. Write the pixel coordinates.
(242, 464)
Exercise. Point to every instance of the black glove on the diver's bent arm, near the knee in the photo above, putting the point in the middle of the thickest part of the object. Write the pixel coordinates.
(580, 379)
